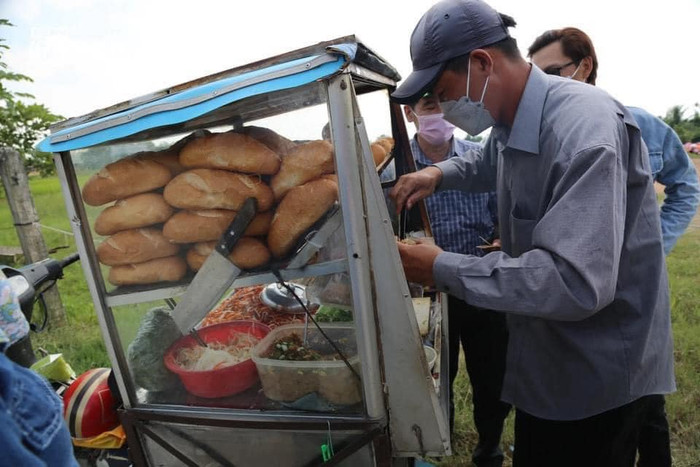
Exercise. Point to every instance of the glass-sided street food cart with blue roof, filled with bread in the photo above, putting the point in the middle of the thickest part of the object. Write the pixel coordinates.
(380, 398)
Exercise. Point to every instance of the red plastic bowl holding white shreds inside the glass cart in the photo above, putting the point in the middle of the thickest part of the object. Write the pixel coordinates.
(223, 381)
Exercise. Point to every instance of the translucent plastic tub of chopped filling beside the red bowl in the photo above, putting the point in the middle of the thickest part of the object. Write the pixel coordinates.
(288, 380)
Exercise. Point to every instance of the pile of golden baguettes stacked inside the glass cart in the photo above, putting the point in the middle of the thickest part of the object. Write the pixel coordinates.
(170, 207)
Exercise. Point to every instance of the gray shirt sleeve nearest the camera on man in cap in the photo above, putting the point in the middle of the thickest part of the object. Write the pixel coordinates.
(571, 270)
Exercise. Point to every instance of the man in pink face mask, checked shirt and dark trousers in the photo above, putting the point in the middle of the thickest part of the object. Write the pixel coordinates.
(461, 222)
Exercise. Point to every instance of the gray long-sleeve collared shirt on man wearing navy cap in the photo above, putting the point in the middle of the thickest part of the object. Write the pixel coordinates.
(582, 273)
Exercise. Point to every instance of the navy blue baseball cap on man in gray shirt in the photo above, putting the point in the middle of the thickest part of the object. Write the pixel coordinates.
(450, 28)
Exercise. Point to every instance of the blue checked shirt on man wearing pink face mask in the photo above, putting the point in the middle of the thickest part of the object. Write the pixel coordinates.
(459, 220)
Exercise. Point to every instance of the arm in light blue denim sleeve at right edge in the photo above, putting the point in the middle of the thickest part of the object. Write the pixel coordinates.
(682, 190)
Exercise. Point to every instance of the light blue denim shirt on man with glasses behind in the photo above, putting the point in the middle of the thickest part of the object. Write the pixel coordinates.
(672, 167)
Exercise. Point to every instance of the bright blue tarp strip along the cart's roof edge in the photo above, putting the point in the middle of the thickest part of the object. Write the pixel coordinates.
(199, 100)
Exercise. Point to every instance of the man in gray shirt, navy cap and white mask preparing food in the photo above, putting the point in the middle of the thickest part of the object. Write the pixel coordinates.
(582, 273)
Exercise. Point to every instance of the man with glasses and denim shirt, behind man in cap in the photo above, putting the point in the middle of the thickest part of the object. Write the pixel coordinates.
(569, 52)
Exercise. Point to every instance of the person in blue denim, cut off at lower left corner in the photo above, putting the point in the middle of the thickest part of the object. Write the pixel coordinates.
(31, 413)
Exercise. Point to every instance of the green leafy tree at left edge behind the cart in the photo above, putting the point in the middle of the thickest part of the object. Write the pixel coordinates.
(22, 121)
